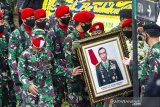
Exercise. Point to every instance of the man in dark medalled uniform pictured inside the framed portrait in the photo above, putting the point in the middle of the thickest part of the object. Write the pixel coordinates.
(107, 70)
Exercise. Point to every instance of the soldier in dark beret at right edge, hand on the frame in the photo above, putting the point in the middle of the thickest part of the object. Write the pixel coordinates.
(151, 65)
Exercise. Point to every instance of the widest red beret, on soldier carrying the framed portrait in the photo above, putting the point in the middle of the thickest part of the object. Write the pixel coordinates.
(83, 16)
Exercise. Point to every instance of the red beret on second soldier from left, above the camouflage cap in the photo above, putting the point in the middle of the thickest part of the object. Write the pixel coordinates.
(39, 13)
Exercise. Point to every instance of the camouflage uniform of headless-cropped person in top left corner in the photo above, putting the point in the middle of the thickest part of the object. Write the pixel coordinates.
(8, 12)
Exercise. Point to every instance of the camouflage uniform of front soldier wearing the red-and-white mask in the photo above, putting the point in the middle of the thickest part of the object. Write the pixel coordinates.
(38, 68)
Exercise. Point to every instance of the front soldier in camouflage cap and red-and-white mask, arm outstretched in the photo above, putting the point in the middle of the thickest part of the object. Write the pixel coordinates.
(36, 67)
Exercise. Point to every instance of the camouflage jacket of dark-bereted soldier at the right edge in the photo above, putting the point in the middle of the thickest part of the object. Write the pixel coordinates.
(151, 65)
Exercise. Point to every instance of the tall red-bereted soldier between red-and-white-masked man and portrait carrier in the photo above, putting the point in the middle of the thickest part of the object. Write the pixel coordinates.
(56, 37)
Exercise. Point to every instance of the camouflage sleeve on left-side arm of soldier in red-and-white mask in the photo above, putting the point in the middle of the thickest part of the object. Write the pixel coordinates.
(22, 72)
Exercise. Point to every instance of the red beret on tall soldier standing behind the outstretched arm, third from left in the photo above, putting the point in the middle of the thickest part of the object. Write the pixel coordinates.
(61, 10)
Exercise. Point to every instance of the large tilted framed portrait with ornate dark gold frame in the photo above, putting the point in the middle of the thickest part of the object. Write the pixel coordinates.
(104, 72)
